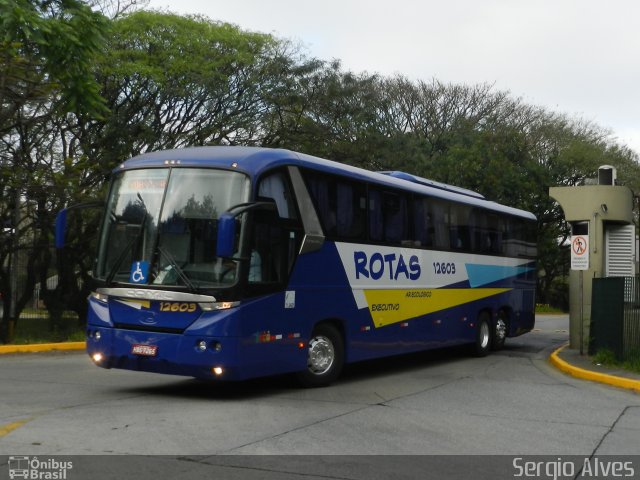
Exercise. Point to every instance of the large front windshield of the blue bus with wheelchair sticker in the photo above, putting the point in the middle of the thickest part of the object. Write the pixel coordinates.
(160, 227)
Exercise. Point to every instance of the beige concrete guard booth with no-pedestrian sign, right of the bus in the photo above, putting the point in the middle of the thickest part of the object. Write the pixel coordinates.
(603, 243)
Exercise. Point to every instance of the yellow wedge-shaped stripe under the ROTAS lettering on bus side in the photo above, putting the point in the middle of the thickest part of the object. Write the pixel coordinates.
(393, 306)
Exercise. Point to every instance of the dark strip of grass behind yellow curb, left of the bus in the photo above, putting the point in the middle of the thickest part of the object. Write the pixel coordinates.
(40, 330)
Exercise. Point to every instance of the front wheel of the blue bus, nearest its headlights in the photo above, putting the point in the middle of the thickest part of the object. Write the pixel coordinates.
(325, 357)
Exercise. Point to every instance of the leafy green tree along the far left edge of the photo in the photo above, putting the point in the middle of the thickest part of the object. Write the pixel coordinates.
(46, 51)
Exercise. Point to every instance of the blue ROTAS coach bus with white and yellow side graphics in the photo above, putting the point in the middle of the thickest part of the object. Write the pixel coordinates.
(235, 262)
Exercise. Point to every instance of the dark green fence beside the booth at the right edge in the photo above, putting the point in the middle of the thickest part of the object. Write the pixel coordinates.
(615, 315)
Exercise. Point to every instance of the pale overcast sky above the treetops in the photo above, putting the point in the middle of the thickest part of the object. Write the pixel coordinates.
(577, 57)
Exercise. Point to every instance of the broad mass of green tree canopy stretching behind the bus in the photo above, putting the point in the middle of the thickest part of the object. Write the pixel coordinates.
(81, 92)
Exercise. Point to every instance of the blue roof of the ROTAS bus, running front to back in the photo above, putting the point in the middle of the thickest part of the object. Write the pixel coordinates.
(255, 160)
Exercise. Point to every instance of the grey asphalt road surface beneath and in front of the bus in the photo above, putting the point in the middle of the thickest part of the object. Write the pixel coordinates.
(510, 403)
